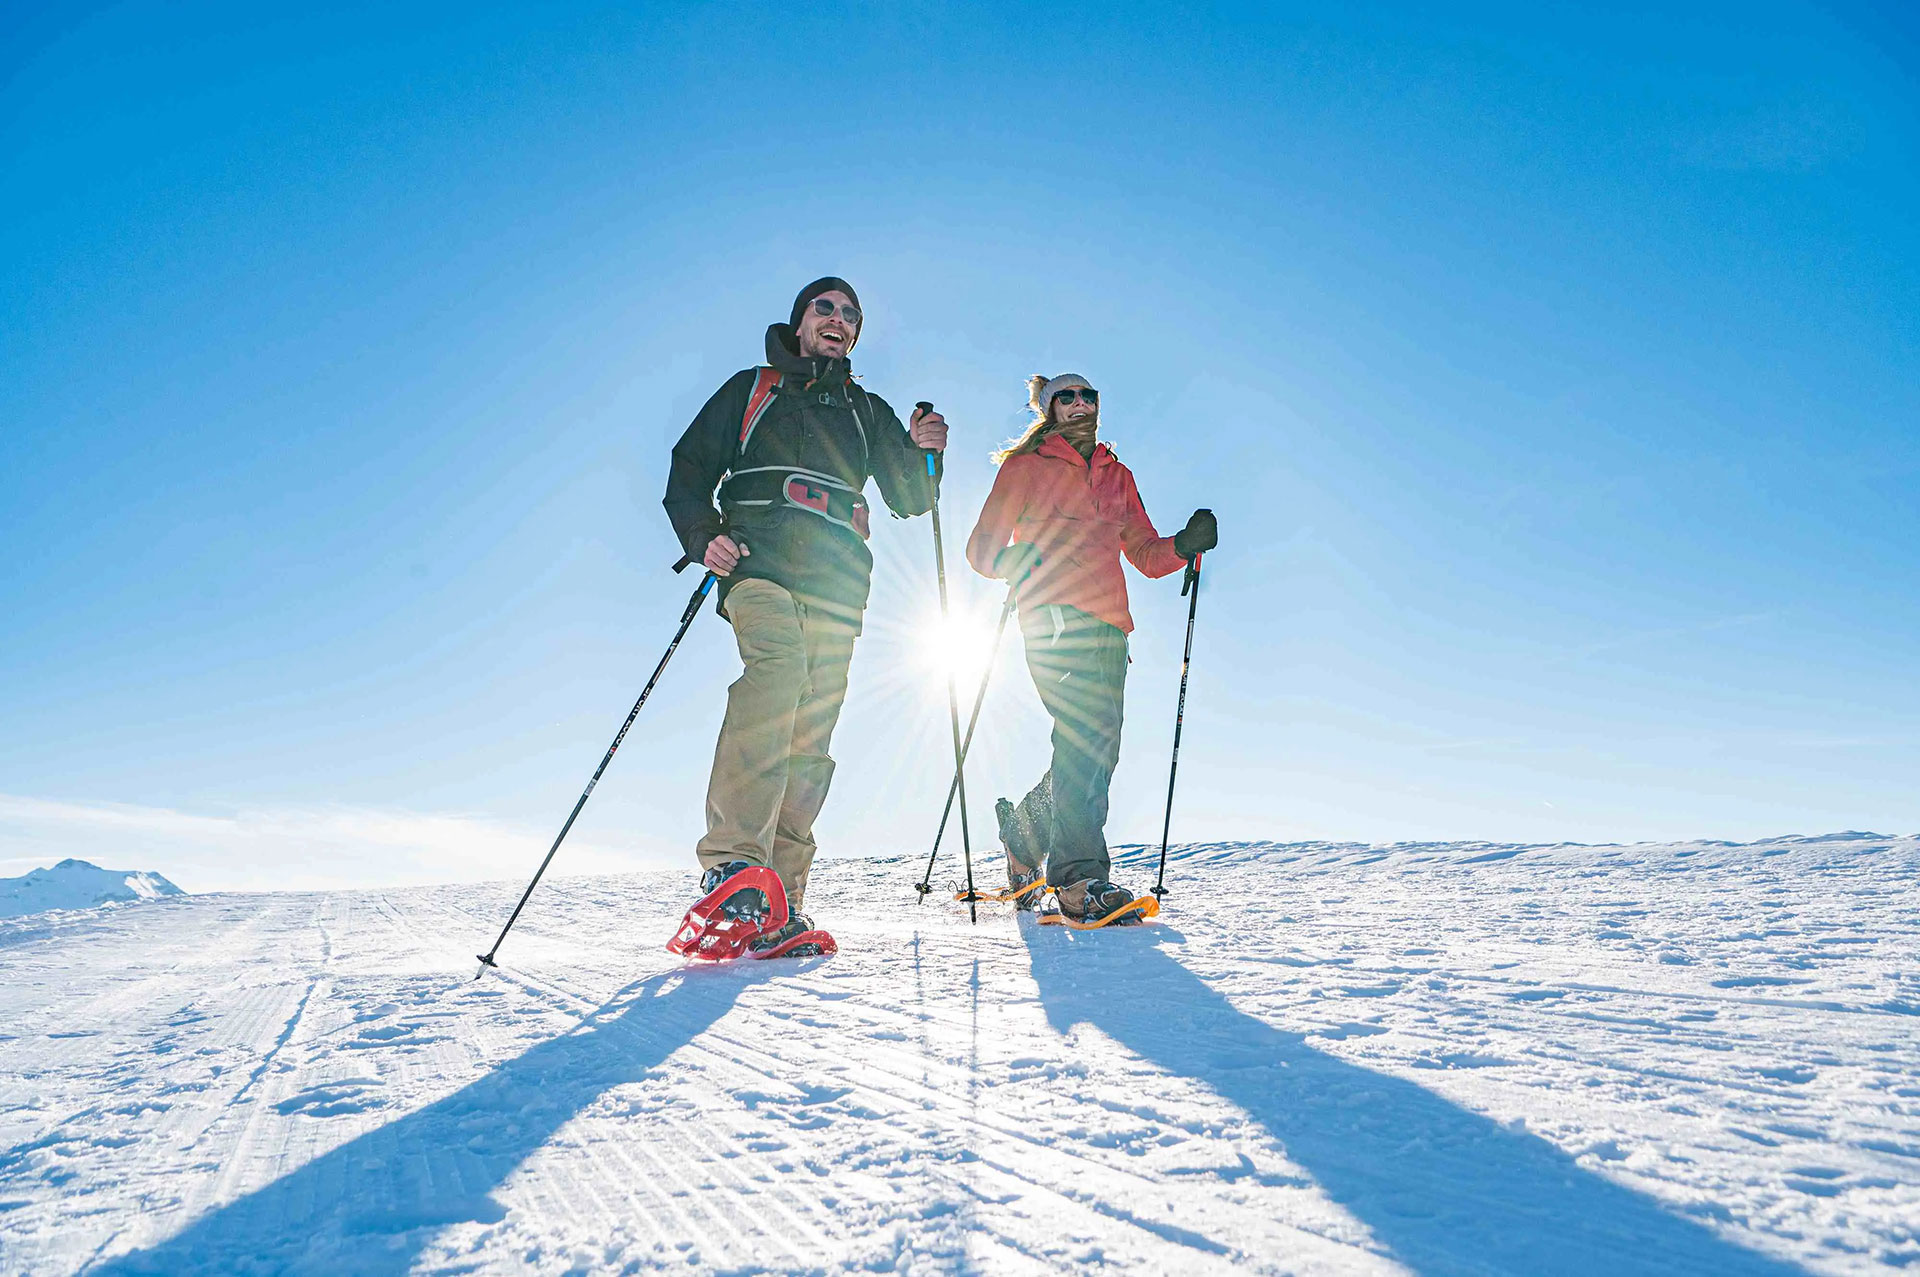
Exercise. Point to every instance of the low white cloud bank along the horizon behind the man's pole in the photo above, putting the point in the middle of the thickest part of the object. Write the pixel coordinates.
(297, 848)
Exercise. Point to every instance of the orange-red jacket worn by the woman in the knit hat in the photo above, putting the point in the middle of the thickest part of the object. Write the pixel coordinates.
(1080, 516)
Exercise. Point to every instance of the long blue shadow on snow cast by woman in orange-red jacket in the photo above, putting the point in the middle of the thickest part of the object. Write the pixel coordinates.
(1449, 1192)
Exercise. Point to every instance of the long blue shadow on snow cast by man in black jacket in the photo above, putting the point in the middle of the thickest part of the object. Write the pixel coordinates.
(372, 1205)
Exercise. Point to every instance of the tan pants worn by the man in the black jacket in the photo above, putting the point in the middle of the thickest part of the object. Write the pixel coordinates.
(771, 767)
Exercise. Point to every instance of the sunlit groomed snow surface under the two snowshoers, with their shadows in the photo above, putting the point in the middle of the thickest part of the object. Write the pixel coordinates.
(1326, 1059)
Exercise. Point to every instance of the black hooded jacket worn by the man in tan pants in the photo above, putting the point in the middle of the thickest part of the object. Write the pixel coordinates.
(823, 423)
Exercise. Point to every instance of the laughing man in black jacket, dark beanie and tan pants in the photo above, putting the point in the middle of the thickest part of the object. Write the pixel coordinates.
(790, 448)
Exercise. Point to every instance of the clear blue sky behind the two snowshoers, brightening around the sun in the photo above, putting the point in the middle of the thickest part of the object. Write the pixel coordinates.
(1552, 373)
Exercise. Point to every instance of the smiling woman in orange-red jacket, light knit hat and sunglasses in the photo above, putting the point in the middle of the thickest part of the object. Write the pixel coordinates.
(1061, 514)
